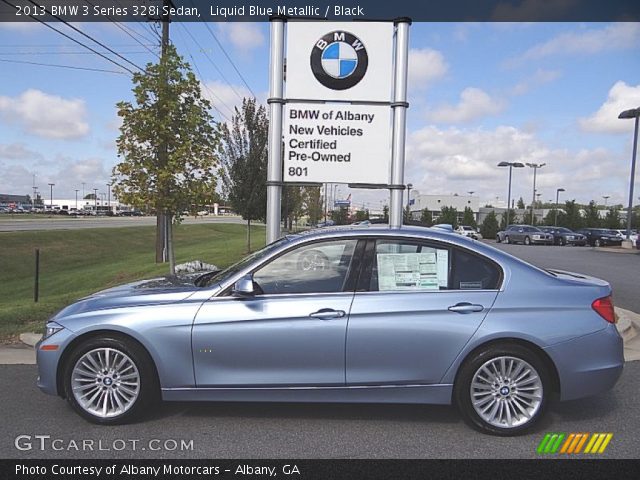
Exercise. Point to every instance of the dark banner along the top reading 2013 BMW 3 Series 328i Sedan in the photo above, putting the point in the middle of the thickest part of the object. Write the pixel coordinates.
(336, 10)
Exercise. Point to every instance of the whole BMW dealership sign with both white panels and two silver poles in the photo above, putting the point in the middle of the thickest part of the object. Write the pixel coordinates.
(342, 115)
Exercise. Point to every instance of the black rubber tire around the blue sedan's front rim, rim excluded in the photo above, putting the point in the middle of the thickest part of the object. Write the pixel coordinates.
(148, 382)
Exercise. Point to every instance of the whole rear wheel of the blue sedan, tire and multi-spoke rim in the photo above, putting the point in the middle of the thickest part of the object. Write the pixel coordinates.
(502, 390)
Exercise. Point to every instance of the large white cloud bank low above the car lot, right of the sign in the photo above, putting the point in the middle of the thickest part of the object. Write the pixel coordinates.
(456, 160)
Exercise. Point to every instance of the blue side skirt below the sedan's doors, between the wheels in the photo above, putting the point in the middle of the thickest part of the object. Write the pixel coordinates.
(426, 394)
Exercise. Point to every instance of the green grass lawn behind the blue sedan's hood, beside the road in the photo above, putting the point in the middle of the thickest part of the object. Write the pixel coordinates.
(75, 263)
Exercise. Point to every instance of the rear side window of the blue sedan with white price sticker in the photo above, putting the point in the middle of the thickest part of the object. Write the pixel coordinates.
(420, 266)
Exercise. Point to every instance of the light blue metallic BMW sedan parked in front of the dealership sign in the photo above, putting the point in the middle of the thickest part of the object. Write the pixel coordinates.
(410, 315)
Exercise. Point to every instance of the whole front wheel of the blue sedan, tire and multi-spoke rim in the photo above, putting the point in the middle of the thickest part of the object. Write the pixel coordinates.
(109, 380)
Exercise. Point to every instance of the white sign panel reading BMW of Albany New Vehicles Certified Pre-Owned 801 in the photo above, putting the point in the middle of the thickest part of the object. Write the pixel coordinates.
(337, 143)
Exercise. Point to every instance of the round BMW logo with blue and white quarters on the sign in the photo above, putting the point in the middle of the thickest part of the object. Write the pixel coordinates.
(339, 60)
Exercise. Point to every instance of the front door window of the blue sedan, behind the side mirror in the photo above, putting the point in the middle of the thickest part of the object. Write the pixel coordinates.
(314, 268)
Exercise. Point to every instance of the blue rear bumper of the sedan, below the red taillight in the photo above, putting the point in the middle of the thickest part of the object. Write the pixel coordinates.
(590, 364)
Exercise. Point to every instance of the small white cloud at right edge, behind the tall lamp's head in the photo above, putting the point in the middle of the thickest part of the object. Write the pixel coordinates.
(605, 120)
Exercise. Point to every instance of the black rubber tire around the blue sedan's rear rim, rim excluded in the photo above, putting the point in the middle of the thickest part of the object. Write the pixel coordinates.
(462, 394)
